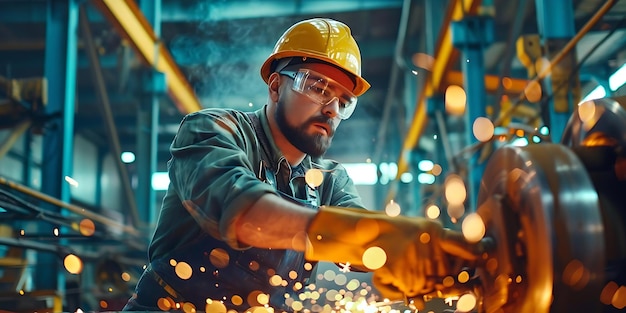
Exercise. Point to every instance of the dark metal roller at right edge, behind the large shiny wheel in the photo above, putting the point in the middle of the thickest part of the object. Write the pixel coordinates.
(596, 133)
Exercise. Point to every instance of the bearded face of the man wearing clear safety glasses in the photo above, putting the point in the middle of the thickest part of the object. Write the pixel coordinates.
(308, 126)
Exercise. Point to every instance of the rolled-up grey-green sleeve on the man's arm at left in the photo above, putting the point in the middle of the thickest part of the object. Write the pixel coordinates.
(212, 170)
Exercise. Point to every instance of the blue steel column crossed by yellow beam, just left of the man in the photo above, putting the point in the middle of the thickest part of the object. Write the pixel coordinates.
(147, 125)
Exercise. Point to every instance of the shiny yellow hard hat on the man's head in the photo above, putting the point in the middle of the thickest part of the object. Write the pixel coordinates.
(321, 39)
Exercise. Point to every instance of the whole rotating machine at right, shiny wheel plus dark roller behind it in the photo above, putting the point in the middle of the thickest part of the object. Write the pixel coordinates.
(557, 214)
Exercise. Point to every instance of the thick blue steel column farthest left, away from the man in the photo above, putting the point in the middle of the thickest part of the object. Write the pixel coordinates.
(60, 72)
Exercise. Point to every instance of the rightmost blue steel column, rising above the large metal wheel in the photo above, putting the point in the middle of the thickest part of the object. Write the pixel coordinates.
(555, 20)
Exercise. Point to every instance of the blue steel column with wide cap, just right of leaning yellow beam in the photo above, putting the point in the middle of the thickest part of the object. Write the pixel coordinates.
(471, 35)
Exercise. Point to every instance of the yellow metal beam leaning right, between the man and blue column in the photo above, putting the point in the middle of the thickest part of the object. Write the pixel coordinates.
(445, 56)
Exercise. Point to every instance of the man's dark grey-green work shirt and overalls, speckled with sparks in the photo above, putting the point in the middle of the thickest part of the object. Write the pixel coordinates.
(218, 169)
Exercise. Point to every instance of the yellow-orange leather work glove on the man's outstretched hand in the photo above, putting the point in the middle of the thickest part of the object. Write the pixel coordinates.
(416, 248)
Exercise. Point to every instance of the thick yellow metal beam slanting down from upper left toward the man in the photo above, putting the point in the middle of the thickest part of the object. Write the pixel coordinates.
(126, 16)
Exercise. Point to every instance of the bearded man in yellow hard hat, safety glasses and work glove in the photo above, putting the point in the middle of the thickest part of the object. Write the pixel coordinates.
(243, 205)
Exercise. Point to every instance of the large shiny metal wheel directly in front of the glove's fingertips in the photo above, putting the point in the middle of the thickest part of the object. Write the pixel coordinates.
(541, 208)
